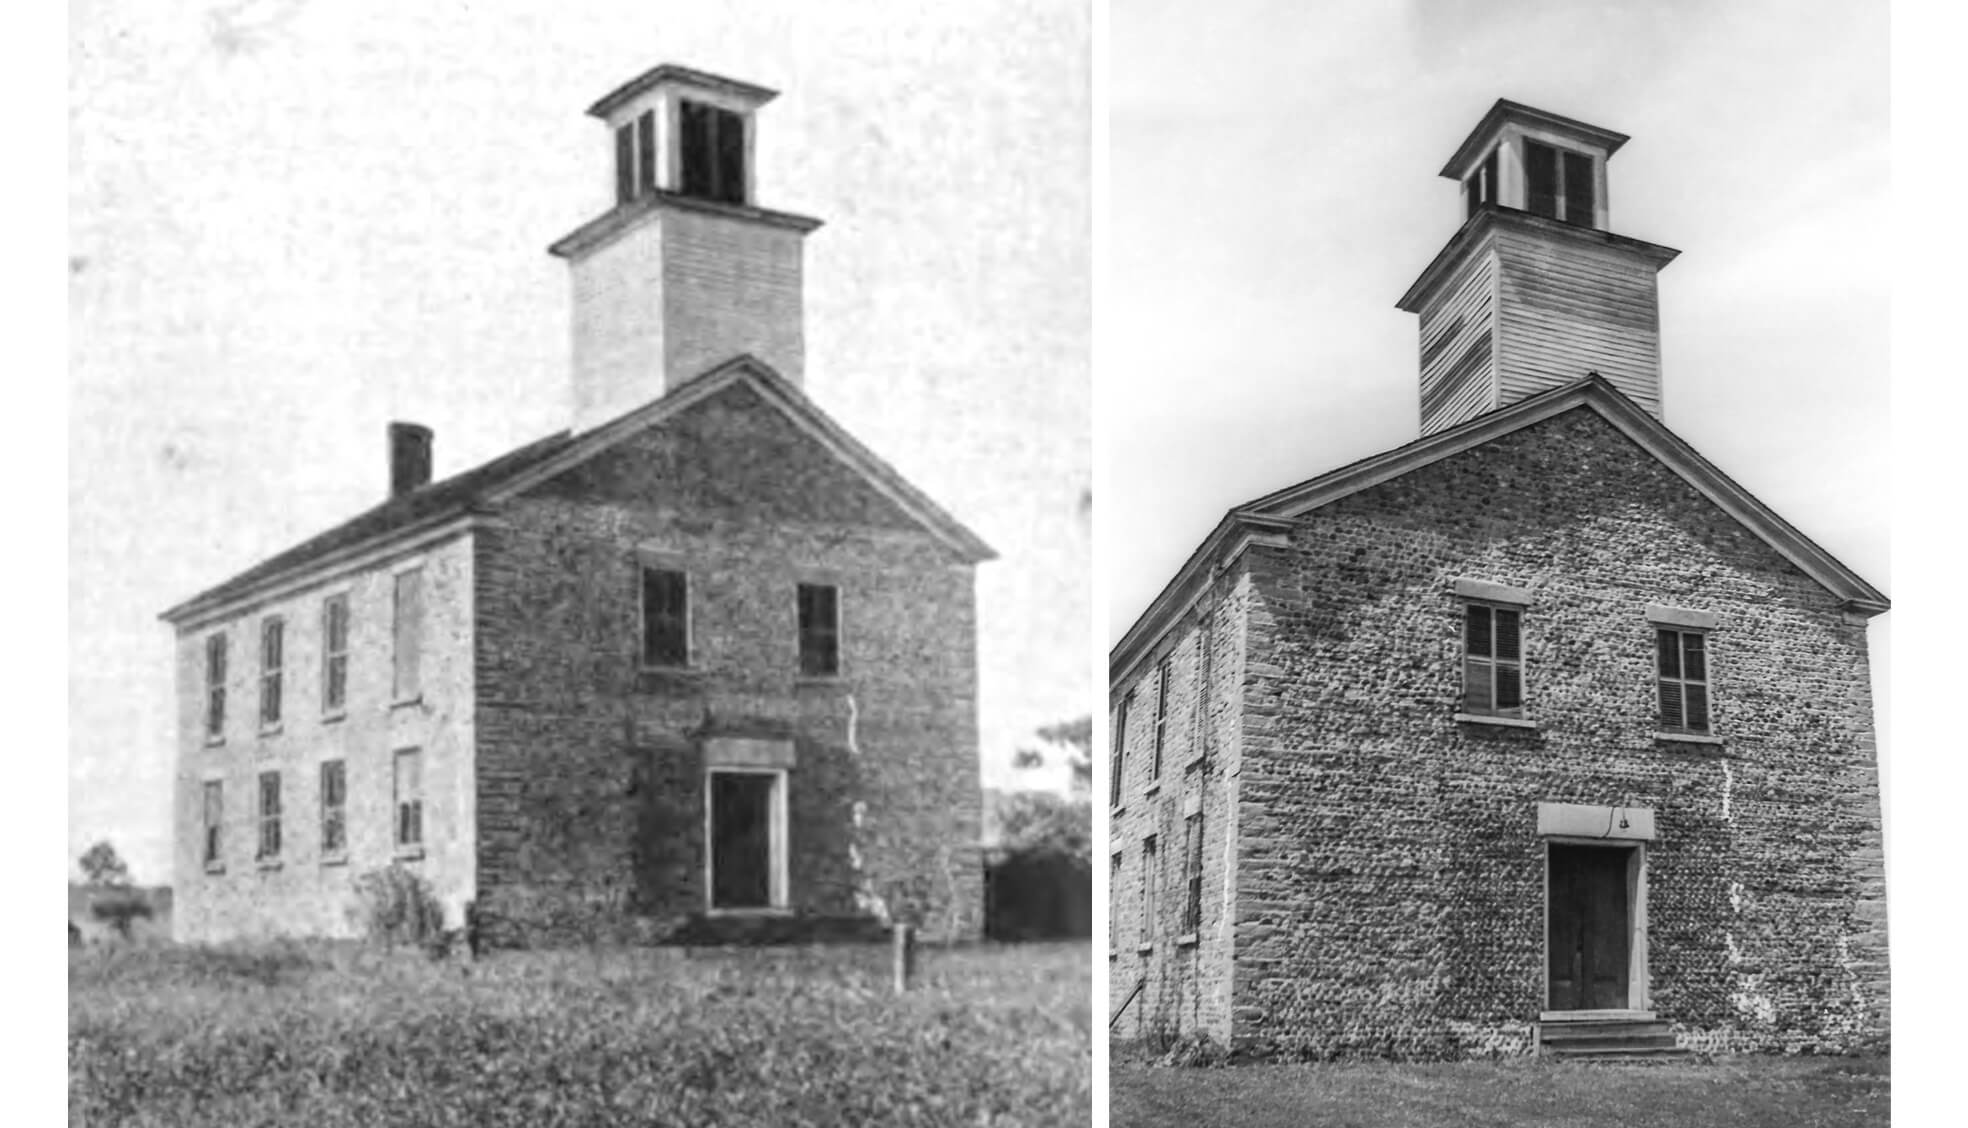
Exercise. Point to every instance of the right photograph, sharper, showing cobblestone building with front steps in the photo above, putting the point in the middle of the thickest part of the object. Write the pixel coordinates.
(1497, 562)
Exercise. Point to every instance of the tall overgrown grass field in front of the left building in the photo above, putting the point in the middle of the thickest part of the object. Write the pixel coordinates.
(328, 1036)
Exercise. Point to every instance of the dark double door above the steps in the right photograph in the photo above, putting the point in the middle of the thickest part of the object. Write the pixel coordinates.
(1589, 946)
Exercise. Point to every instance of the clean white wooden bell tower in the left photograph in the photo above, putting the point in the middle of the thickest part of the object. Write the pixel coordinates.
(686, 271)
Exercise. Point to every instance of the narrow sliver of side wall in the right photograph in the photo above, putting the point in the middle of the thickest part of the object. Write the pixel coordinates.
(1182, 971)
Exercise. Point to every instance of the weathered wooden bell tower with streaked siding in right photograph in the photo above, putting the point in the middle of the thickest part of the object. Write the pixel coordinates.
(1534, 290)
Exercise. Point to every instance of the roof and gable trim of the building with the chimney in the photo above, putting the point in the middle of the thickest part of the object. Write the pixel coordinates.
(513, 473)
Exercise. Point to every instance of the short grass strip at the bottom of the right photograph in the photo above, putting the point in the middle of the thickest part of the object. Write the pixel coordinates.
(1733, 1092)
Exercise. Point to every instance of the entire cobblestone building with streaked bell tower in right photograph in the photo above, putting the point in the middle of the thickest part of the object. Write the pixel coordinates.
(1536, 735)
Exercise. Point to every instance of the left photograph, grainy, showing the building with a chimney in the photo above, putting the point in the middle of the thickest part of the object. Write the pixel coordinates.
(580, 564)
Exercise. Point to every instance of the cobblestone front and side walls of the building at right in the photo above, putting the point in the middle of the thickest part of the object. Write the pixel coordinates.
(1388, 895)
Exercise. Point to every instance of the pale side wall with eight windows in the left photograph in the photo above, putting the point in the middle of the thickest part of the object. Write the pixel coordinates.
(304, 891)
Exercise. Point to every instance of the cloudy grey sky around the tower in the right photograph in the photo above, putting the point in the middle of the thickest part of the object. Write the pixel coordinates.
(1274, 190)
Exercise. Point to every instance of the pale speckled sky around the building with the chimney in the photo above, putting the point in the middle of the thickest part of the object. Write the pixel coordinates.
(290, 223)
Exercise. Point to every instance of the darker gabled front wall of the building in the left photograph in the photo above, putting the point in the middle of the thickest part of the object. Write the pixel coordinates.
(593, 771)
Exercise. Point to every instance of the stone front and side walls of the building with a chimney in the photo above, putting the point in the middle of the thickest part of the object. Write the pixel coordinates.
(566, 786)
